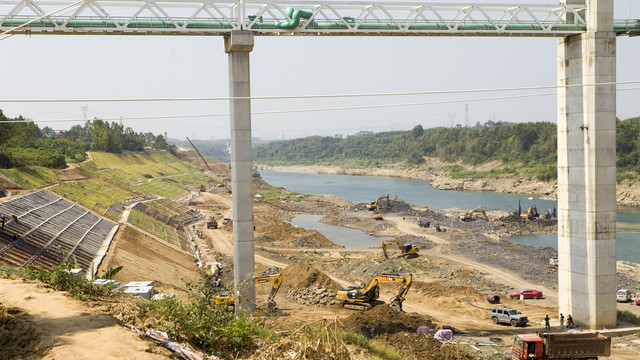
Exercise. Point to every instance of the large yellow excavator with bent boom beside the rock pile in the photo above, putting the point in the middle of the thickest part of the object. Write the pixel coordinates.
(359, 298)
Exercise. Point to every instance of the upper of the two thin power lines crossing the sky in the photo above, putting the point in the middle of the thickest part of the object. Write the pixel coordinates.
(326, 96)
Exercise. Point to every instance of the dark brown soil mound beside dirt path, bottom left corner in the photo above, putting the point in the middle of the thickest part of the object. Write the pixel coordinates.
(19, 336)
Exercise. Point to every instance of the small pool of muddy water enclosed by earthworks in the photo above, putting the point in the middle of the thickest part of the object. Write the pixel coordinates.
(347, 237)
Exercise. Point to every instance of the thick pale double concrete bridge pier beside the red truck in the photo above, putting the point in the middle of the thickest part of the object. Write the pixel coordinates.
(587, 170)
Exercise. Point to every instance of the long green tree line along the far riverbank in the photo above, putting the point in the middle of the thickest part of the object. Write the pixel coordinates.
(530, 147)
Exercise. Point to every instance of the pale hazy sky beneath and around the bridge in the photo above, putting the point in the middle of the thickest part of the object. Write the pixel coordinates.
(147, 66)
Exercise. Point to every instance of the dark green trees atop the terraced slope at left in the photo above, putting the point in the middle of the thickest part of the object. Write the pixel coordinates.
(24, 143)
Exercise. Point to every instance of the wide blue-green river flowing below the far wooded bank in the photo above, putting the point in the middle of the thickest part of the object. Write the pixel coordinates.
(419, 192)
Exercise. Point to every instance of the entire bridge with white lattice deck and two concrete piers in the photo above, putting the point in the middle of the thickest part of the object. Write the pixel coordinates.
(586, 32)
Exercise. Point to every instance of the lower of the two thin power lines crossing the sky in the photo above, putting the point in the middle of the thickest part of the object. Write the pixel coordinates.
(361, 107)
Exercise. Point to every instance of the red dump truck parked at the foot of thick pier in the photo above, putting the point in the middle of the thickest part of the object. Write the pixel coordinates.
(549, 346)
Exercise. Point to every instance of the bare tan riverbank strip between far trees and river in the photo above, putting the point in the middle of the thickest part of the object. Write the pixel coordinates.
(627, 193)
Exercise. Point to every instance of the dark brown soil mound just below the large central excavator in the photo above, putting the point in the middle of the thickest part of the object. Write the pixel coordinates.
(385, 320)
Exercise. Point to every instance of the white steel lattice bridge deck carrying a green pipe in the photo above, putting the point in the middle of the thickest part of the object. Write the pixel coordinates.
(204, 17)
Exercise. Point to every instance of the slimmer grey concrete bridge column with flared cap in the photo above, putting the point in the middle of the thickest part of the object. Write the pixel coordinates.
(238, 45)
